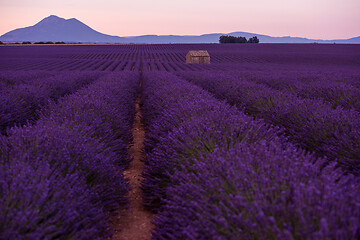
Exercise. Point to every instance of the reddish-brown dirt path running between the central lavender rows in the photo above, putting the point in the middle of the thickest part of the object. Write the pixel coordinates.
(136, 224)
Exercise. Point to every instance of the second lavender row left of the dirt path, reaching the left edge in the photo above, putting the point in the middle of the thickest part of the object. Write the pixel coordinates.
(22, 103)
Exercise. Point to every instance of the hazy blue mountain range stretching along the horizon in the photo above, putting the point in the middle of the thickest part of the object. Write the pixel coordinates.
(57, 29)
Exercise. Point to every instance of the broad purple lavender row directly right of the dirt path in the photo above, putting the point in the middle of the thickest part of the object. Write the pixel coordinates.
(214, 173)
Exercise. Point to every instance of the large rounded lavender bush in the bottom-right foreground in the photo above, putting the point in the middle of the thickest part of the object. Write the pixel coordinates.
(259, 191)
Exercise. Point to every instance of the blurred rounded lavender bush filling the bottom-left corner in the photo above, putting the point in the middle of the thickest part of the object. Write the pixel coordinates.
(39, 202)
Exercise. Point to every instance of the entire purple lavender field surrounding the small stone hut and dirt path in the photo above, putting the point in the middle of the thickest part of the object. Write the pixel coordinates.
(263, 143)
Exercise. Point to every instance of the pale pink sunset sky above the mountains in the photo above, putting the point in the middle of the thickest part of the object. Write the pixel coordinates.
(319, 19)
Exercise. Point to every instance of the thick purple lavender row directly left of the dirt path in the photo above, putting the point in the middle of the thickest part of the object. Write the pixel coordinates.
(62, 177)
